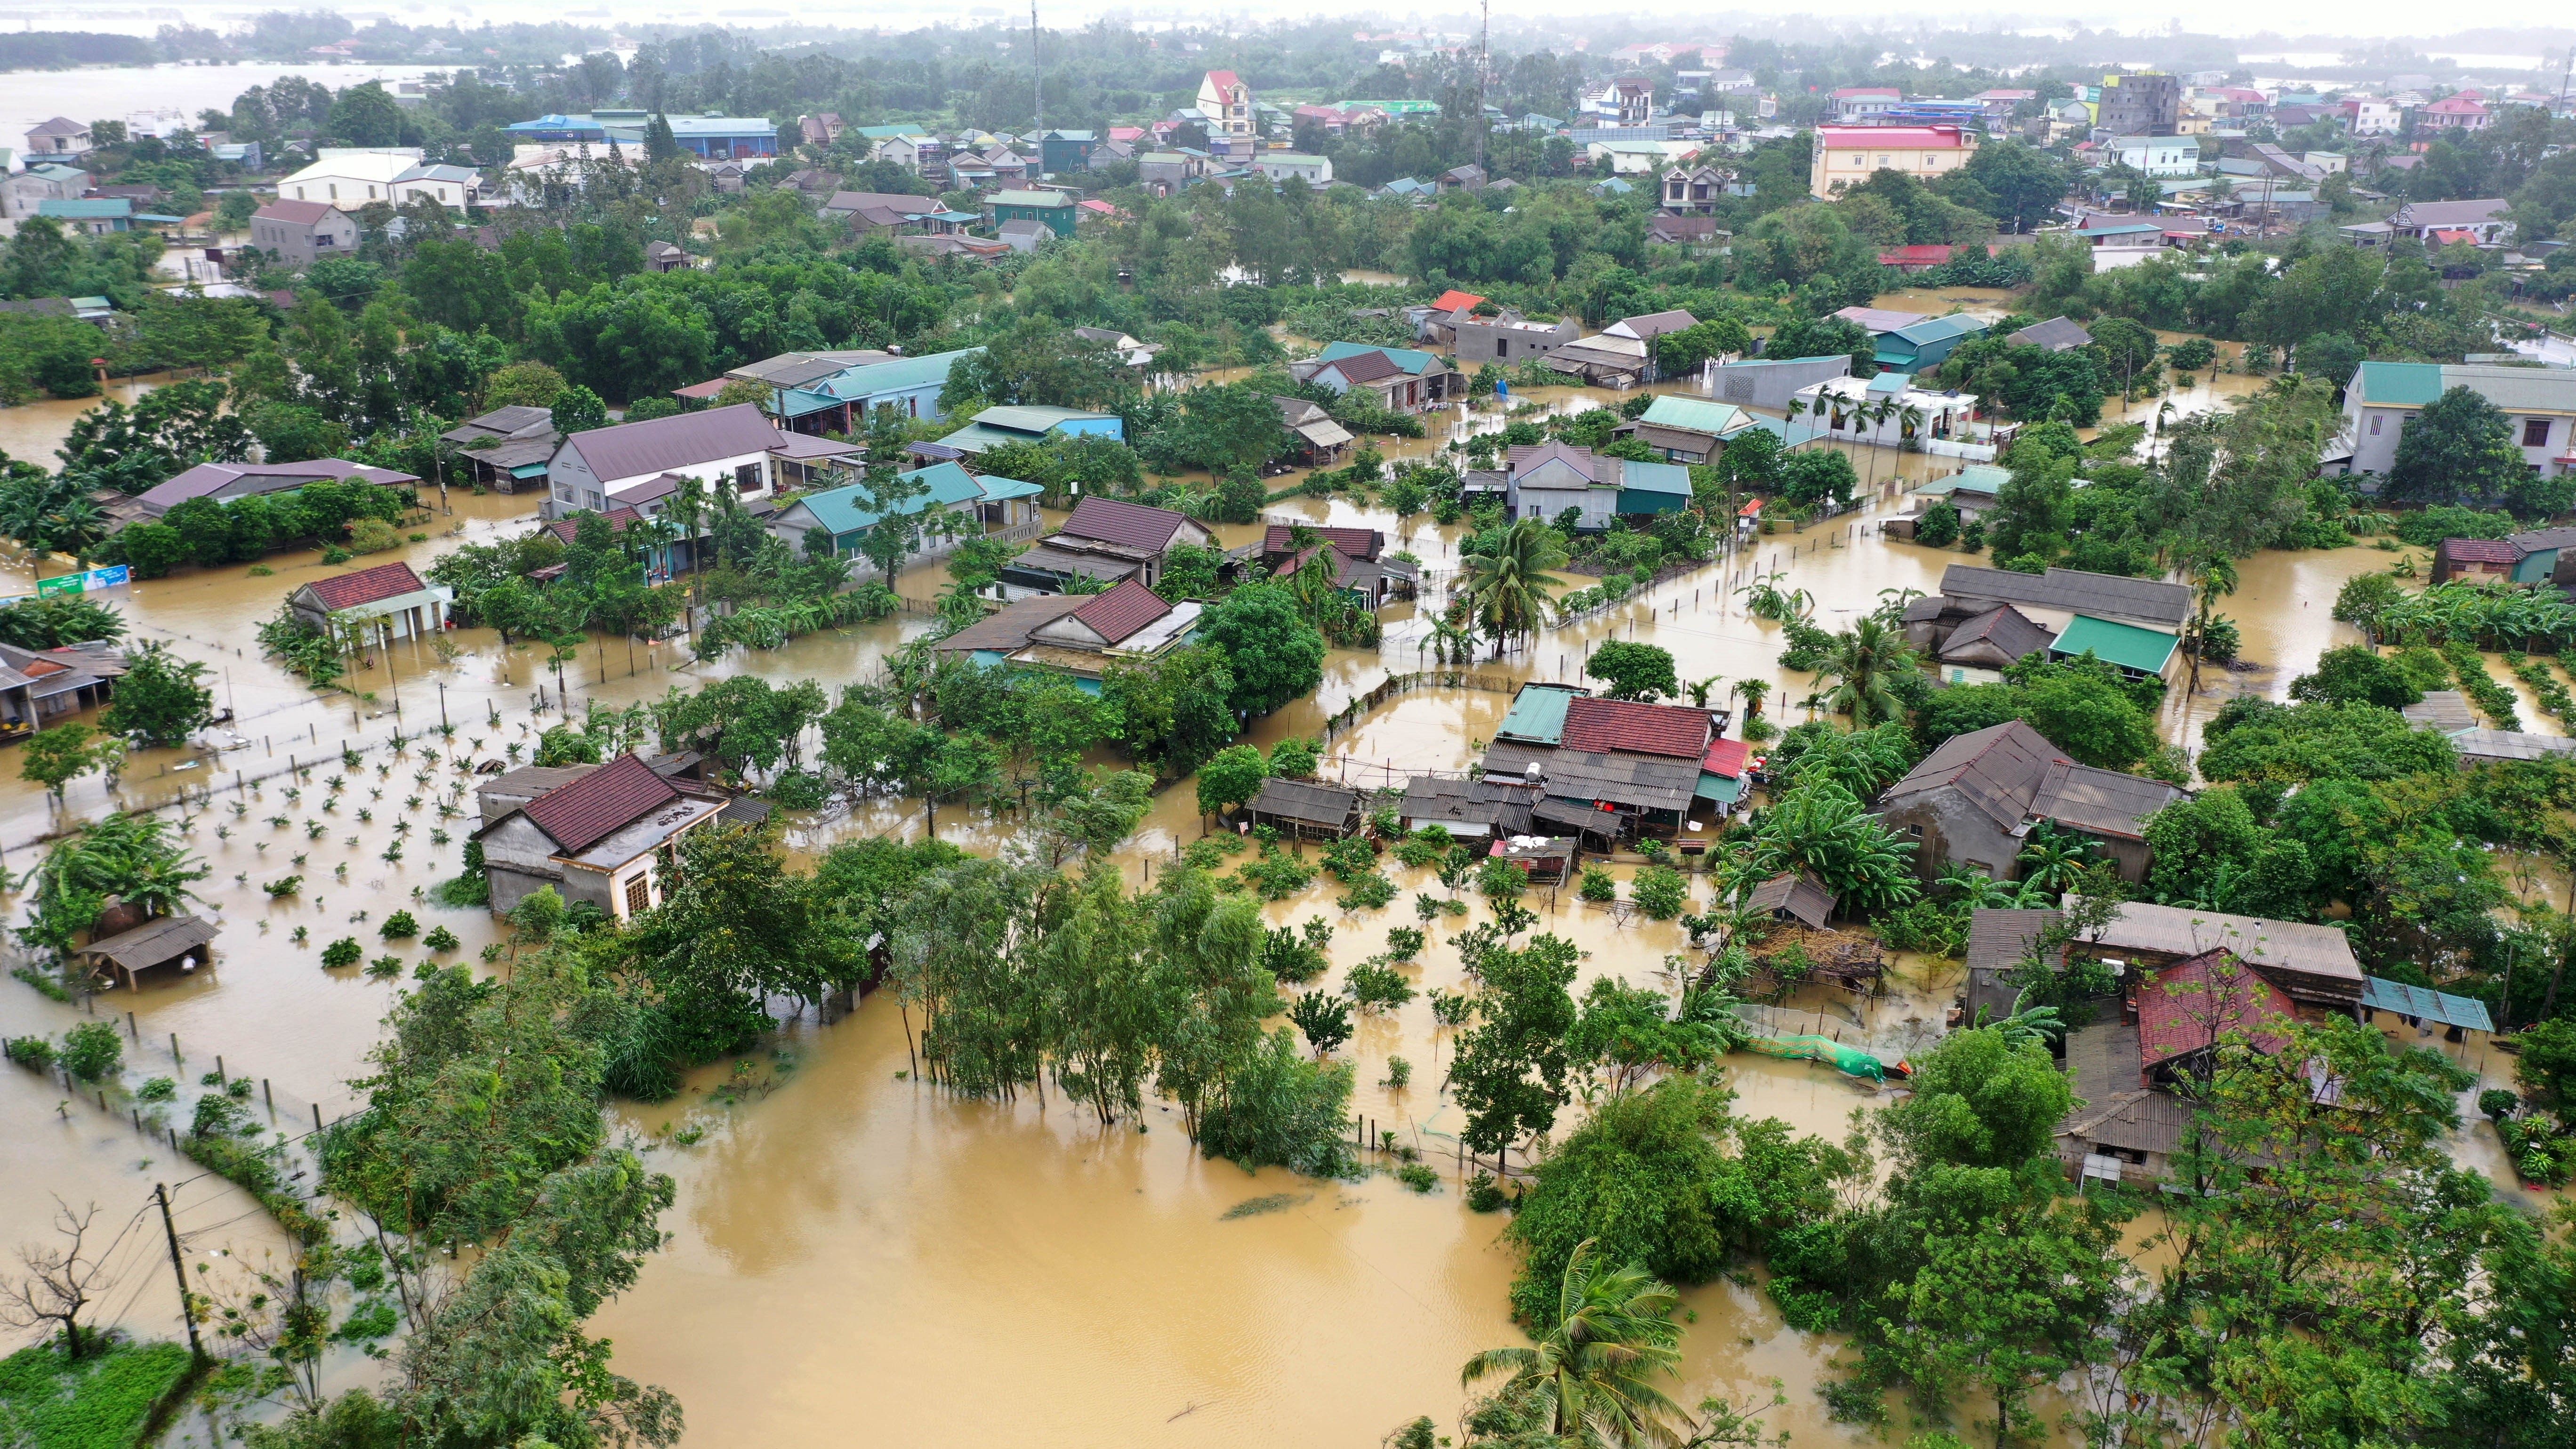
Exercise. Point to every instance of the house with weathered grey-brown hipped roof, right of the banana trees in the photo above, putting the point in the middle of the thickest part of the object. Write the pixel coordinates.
(1977, 798)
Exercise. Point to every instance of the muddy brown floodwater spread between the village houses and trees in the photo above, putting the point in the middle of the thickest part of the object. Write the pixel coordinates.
(846, 1236)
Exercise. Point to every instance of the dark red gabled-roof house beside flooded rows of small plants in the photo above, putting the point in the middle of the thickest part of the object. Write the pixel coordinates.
(604, 839)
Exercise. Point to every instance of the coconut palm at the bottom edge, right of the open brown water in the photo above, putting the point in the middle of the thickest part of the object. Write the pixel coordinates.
(1591, 1370)
